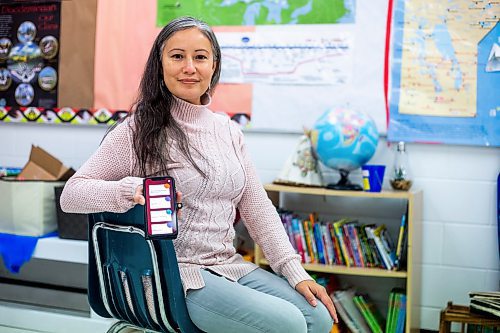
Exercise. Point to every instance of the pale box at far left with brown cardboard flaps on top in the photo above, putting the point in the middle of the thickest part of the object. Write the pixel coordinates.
(27, 204)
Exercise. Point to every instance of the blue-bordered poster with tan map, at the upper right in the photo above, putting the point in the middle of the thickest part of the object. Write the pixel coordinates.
(444, 80)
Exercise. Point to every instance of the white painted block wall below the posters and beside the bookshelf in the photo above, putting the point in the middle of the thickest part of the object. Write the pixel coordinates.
(460, 246)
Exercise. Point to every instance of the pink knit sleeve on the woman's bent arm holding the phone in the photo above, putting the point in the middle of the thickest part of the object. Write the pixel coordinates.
(103, 182)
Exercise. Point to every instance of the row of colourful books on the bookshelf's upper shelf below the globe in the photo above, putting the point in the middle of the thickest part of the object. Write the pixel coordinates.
(346, 242)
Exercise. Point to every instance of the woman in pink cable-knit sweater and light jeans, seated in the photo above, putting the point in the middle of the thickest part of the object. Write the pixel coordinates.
(172, 131)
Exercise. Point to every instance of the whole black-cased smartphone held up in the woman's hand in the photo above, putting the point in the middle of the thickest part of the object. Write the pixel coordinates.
(161, 208)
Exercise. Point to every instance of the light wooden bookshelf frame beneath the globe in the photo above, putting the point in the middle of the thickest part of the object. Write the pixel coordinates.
(411, 277)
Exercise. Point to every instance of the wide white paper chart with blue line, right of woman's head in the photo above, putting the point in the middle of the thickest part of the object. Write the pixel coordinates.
(306, 57)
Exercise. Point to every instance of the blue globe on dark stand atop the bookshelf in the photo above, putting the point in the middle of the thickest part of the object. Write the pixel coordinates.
(344, 140)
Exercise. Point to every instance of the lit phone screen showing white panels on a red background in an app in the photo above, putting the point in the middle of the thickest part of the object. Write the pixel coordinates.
(160, 206)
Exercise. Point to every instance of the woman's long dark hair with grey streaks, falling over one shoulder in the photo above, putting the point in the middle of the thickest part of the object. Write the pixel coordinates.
(154, 124)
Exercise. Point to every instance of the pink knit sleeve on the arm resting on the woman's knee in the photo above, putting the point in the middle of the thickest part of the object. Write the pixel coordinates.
(264, 224)
